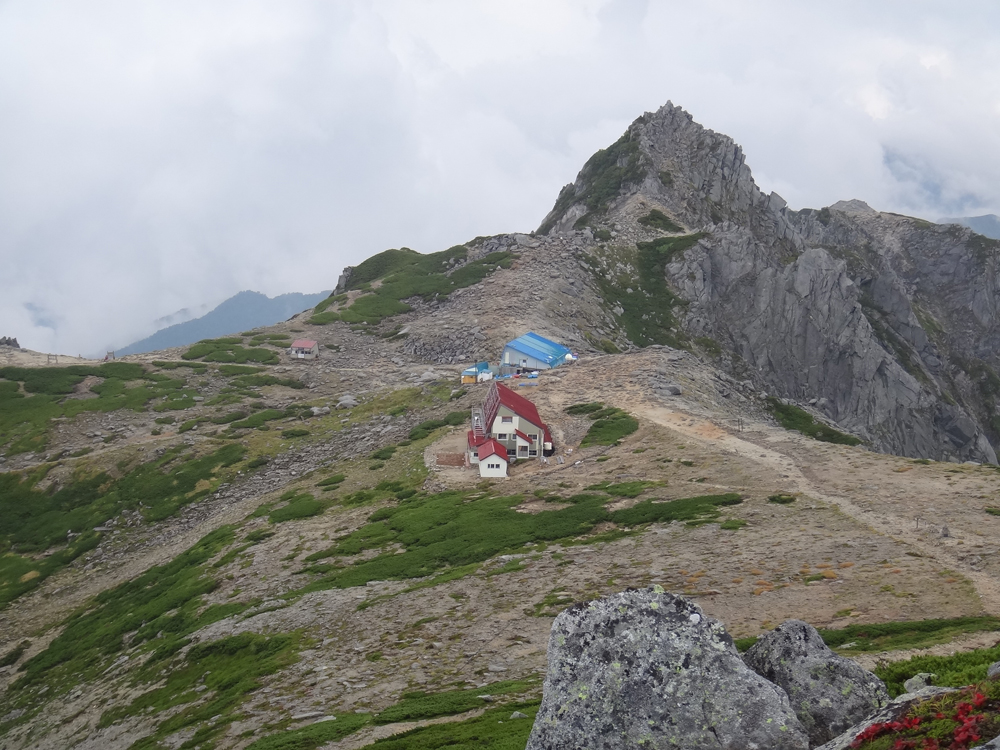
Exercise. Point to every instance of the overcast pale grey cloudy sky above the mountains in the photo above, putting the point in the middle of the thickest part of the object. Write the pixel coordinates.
(161, 155)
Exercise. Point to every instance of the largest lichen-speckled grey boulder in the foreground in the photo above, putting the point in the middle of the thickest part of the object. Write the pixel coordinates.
(644, 668)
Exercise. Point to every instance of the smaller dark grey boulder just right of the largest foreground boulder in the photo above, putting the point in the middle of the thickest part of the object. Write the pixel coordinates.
(829, 693)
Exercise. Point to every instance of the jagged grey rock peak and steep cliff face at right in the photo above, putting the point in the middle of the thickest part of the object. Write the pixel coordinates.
(891, 324)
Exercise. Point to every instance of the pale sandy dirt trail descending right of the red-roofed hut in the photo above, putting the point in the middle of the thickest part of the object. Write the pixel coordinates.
(793, 456)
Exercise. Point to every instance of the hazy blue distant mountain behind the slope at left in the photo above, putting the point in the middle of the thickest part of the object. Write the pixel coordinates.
(238, 313)
